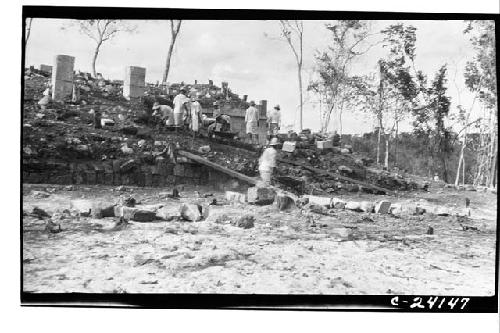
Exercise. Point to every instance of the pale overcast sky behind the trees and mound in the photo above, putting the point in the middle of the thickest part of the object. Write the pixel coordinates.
(248, 55)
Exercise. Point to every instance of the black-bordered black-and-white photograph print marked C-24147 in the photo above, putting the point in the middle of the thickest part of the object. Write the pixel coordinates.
(187, 158)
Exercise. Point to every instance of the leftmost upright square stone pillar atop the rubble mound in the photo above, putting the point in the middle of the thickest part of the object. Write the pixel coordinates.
(62, 77)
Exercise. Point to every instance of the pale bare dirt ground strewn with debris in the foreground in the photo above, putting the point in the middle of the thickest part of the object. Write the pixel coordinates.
(286, 252)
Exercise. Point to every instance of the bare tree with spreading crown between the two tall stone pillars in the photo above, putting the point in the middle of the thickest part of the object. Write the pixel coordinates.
(101, 31)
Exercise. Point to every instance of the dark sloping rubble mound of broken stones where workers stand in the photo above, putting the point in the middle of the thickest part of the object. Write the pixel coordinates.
(62, 144)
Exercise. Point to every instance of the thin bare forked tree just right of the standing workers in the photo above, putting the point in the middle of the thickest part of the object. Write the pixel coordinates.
(293, 33)
